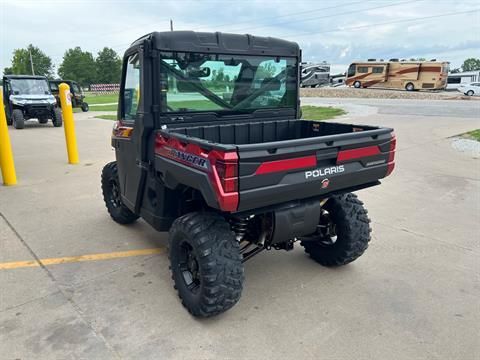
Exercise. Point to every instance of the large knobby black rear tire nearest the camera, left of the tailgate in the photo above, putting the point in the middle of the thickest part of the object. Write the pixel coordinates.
(205, 263)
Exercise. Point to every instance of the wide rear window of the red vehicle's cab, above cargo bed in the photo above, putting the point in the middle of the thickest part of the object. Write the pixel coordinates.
(215, 82)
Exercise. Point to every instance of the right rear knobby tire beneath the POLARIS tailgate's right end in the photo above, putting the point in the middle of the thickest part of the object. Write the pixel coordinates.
(352, 228)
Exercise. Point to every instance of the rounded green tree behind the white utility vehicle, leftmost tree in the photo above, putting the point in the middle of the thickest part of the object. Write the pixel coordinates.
(21, 64)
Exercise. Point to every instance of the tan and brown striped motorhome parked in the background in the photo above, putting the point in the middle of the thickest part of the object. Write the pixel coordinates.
(395, 74)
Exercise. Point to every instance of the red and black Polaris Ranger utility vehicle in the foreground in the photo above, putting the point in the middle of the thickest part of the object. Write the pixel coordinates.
(231, 175)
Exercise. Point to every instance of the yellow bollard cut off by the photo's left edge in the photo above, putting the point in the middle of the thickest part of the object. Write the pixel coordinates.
(6, 157)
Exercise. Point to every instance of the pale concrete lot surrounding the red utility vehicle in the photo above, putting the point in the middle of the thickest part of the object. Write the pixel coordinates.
(413, 295)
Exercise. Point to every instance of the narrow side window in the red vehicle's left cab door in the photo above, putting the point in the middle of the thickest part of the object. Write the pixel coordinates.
(131, 93)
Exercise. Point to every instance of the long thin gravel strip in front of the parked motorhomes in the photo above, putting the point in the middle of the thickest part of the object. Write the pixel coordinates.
(346, 92)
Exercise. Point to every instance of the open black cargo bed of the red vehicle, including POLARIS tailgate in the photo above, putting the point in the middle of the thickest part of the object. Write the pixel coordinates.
(284, 160)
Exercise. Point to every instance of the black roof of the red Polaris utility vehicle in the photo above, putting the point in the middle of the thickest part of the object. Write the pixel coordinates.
(222, 43)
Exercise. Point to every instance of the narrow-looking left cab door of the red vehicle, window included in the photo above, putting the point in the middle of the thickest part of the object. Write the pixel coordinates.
(123, 139)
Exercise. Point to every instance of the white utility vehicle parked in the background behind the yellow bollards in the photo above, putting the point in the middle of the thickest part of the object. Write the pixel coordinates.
(28, 97)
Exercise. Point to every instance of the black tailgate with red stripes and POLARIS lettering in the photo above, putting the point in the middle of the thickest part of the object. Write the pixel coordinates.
(276, 172)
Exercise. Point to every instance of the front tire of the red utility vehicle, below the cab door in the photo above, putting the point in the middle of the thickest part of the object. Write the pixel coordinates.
(111, 195)
